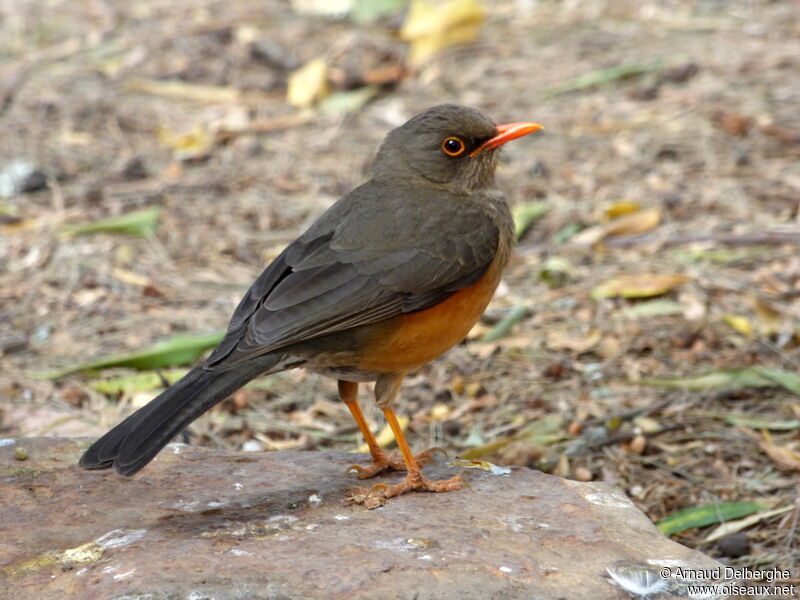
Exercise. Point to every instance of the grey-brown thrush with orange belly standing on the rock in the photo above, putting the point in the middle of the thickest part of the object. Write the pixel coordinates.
(388, 278)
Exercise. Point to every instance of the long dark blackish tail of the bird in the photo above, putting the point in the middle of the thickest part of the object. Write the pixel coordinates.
(133, 443)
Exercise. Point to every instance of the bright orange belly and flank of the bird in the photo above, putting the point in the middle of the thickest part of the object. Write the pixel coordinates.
(416, 338)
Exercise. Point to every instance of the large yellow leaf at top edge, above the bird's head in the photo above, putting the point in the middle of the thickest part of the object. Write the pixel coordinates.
(431, 27)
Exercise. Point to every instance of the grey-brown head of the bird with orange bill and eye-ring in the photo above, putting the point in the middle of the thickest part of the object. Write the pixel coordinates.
(451, 145)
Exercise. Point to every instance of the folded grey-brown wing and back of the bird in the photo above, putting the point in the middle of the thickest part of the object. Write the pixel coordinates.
(372, 256)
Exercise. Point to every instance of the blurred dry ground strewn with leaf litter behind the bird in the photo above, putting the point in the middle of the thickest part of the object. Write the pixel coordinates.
(698, 135)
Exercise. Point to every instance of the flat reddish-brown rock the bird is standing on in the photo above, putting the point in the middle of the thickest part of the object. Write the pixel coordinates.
(200, 524)
